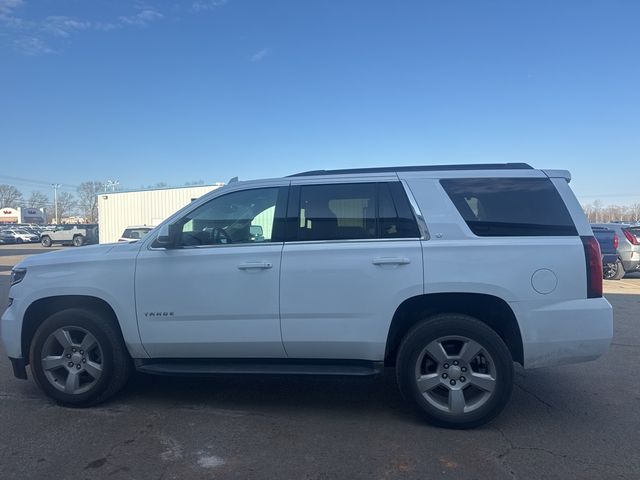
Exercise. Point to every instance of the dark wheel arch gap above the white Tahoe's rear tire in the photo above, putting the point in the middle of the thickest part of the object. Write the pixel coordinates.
(491, 310)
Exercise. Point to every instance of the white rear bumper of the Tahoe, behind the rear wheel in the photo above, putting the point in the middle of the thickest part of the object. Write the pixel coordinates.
(566, 332)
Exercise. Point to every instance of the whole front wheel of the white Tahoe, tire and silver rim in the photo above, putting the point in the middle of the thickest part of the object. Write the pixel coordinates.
(78, 358)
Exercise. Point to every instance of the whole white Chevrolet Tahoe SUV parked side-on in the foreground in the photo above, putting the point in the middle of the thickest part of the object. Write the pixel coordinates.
(448, 273)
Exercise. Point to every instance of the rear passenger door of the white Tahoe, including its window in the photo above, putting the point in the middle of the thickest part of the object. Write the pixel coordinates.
(352, 255)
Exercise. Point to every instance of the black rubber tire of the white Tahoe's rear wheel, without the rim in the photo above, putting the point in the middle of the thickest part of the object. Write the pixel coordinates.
(455, 325)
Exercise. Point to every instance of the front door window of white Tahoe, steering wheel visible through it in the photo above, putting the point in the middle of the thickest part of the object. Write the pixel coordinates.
(239, 217)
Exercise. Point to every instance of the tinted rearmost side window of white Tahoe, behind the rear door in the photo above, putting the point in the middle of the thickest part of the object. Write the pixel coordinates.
(508, 207)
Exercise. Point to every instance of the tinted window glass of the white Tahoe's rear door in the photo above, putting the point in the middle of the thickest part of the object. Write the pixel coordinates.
(353, 211)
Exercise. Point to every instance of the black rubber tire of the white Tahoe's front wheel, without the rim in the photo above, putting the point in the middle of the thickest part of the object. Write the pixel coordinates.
(115, 360)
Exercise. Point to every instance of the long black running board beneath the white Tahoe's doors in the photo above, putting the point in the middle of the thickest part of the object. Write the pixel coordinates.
(188, 366)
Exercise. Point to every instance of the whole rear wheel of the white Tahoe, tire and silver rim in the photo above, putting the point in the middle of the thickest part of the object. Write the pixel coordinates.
(456, 370)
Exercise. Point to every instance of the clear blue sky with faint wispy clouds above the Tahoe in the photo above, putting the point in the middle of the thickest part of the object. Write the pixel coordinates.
(177, 91)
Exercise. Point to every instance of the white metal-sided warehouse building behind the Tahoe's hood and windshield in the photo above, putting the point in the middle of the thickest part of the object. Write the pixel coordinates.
(119, 210)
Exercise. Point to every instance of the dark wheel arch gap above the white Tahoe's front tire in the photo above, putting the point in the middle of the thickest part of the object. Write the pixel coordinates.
(41, 309)
